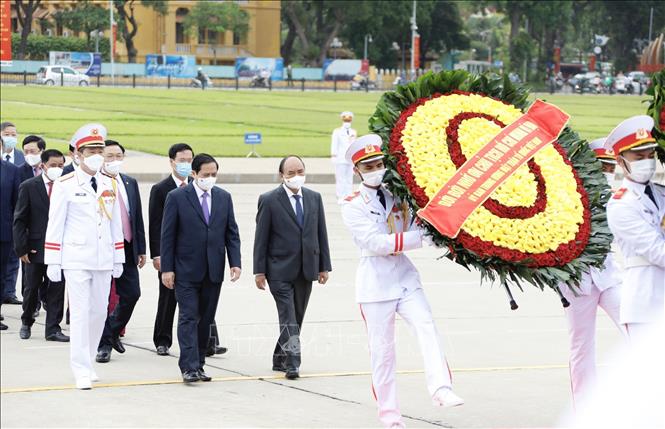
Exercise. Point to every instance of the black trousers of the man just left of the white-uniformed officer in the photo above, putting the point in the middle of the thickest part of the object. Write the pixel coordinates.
(35, 279)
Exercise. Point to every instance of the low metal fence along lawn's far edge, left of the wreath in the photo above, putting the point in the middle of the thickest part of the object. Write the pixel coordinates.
(136, 81)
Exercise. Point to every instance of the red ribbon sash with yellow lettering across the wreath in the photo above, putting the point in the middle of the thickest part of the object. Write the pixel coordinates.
(485, 171)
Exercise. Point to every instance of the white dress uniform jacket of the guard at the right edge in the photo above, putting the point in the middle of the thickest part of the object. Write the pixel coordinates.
(637, 225)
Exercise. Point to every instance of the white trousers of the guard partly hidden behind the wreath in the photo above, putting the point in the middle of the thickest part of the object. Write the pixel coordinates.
(581, 315)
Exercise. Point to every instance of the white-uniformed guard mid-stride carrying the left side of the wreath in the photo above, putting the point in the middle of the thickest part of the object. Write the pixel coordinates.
(387, 283)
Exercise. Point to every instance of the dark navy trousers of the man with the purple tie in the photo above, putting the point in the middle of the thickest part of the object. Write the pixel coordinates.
(197, 303)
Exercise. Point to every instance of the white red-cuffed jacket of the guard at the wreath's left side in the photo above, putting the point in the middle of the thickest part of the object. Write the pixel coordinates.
(382, 235)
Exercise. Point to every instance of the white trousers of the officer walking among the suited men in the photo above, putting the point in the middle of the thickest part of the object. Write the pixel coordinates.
(88, 293)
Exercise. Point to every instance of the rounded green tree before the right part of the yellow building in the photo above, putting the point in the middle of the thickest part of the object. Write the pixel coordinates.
(217, 18)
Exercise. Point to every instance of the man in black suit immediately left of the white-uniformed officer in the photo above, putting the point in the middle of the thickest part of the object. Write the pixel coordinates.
(30, 221)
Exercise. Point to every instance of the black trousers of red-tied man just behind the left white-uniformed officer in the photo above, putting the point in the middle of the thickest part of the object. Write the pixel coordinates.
(128, 288)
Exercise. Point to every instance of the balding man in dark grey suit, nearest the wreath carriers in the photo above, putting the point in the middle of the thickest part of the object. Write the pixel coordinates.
(290, 252)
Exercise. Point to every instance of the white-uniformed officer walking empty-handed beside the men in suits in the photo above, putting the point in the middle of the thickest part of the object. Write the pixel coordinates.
(84, 240)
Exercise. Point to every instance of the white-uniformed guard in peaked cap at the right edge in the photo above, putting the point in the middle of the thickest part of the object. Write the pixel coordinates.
(635, 214)
